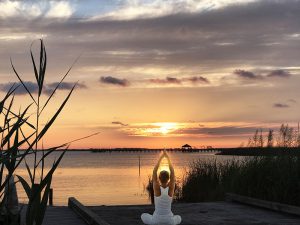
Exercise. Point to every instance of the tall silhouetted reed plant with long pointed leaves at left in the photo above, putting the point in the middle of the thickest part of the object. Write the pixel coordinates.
(14, 136)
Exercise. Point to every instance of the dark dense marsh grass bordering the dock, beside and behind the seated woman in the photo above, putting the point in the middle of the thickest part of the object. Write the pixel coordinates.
(272, 178)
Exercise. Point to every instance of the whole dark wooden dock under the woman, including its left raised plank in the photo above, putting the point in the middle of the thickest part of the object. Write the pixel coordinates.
(206, 213)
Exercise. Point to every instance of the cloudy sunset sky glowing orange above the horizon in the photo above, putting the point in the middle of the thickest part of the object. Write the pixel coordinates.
(158, 73)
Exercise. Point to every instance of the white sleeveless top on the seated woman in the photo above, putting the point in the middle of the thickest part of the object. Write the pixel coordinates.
(163, 203)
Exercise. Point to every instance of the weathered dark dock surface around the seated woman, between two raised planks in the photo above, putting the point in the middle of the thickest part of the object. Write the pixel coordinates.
(210, 213)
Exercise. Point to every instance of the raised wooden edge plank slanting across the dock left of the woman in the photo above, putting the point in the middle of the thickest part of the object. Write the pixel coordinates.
(86, 214)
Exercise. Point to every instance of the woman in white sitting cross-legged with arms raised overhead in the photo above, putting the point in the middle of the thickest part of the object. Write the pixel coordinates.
(163, 195)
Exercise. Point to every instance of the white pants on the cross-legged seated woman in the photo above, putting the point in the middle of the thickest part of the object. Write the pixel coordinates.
(160, 220)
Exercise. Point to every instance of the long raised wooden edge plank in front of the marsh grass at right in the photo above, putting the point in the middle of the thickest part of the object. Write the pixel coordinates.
(279, 207)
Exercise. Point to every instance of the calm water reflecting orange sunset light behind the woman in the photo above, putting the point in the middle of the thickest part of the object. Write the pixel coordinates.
(108, 178)
